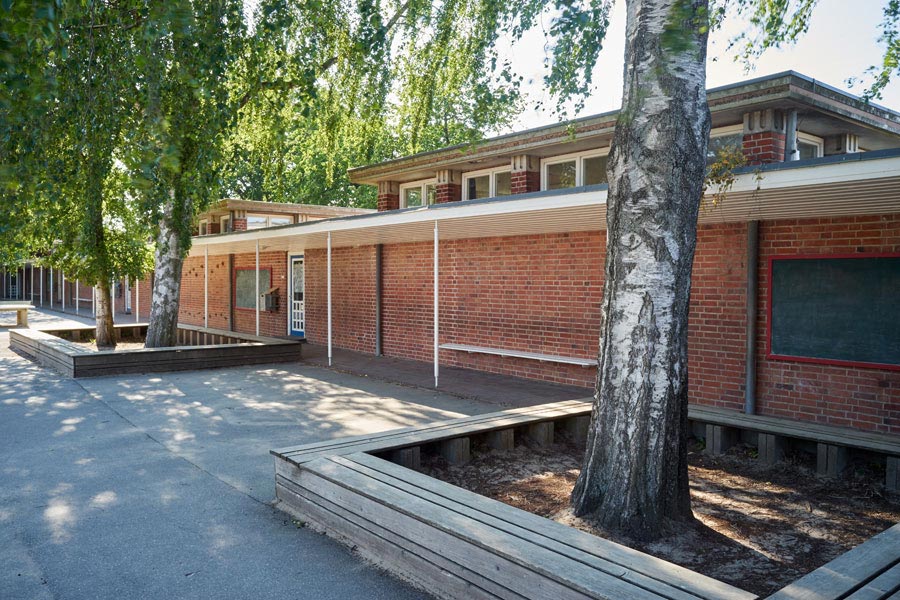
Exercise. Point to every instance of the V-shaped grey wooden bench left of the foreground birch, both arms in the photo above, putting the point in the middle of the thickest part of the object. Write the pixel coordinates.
(455, 543)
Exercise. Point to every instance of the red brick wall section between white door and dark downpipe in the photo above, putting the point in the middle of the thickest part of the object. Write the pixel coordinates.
(352, 296)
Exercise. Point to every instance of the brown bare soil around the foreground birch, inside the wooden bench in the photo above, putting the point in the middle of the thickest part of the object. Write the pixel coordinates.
(759, 528)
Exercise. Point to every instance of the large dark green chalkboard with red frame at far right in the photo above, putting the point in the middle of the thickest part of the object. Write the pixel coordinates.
(836, 309)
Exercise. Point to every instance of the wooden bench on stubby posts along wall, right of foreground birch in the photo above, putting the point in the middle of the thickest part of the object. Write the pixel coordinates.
(832, 442)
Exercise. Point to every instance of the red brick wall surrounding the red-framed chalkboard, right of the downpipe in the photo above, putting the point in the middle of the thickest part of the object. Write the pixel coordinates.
(847, 396)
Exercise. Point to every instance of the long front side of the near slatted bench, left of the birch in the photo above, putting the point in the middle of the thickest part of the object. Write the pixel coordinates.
(458, 544)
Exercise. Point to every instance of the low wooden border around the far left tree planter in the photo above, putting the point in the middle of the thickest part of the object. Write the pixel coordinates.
(75, 361)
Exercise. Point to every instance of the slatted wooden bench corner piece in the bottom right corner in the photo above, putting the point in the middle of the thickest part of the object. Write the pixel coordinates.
(871, 571)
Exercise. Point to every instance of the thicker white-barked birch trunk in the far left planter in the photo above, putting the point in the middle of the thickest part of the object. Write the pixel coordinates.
(171, 248)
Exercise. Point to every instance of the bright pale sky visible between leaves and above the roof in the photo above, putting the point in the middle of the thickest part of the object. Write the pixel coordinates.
(841, 43)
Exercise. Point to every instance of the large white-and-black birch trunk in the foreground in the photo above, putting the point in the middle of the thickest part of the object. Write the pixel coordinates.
(634, 477)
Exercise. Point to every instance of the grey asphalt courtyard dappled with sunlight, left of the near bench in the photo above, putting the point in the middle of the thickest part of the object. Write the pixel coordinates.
(161, 486)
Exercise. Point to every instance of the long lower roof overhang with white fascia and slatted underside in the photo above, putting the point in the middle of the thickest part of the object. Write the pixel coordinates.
(816, 188)
